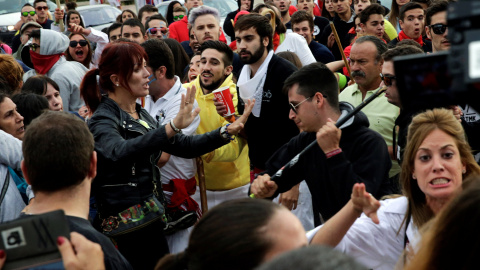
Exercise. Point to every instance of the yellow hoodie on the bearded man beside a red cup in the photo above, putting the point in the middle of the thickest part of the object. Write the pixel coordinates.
(227, 167)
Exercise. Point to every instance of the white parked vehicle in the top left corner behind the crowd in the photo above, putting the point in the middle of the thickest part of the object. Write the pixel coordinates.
(10, 15)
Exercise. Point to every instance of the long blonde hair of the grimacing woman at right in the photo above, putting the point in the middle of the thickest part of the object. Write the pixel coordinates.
(422, 125)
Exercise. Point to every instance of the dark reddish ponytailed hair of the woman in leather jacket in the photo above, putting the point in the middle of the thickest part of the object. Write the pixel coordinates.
(117, 58)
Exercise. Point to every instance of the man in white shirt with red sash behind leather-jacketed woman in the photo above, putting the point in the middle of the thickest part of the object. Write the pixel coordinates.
(178, 174)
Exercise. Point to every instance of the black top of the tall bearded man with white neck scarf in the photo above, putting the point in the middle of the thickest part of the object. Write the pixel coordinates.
(273, 128)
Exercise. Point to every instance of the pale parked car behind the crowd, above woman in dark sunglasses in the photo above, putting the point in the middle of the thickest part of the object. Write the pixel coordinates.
(98, 16)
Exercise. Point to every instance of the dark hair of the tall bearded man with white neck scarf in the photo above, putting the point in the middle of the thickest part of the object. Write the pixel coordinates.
(259, 23)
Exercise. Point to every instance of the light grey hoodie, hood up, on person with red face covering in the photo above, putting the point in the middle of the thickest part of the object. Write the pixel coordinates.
(67, 74)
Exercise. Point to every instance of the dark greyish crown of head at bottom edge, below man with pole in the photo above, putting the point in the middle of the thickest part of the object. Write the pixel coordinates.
(314, 257)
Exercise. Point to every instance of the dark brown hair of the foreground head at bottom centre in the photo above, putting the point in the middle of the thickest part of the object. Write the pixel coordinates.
(232, 235)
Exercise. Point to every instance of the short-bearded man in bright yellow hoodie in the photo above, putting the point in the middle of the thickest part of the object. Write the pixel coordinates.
(227, 169)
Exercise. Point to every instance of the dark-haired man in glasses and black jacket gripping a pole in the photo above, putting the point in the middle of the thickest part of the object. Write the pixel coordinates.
(352, 154)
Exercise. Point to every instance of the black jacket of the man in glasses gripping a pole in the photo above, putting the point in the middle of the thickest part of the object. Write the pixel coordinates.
(364, 159)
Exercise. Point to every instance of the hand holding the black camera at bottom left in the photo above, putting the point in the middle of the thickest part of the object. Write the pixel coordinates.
(80, 253)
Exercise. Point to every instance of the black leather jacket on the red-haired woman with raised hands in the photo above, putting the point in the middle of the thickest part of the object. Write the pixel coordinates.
(128, 152)
